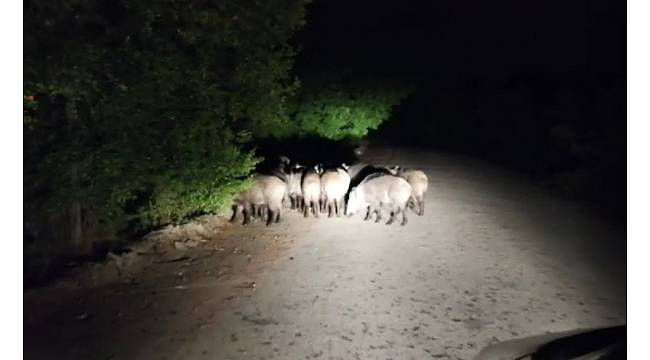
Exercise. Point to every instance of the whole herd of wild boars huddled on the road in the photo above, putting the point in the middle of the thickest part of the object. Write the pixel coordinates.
(334, 190)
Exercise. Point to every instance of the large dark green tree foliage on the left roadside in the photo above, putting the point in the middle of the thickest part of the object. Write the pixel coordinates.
(140, 109)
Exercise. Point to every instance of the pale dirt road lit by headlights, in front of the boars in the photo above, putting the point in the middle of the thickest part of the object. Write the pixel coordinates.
(493, 258)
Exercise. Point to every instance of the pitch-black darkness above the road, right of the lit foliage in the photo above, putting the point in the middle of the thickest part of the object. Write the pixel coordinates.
(538, 86)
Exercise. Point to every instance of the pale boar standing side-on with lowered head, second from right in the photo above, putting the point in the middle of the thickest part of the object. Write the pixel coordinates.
(379, 190)
